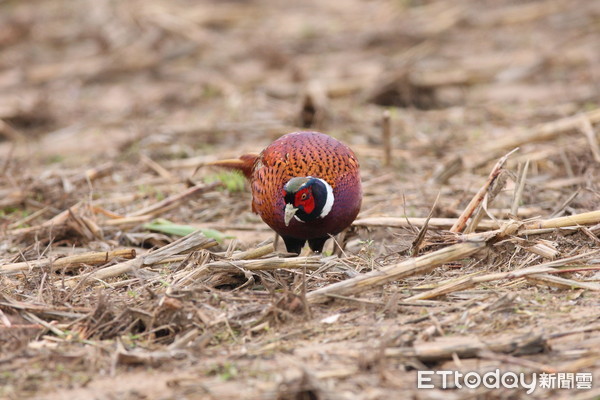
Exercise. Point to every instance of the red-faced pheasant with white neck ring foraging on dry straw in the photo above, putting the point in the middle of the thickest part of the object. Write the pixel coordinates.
(305, 186)
